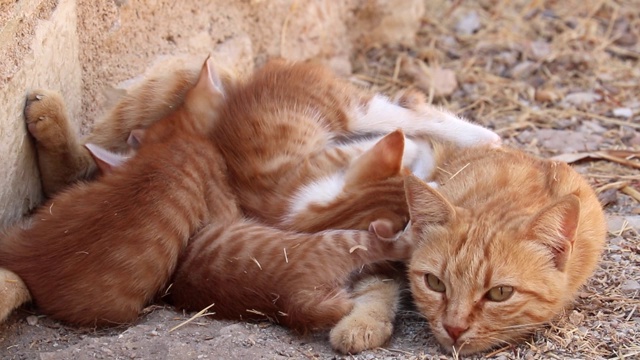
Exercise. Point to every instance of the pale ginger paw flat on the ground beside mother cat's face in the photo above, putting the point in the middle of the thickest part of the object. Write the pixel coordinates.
(354, 334)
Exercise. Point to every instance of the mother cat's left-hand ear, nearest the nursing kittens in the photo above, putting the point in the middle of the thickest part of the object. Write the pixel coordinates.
(426, 205)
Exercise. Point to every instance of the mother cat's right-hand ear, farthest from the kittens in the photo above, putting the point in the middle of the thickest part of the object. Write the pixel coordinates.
(556, 227)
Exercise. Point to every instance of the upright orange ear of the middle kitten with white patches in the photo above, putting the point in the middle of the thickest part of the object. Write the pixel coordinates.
(382, 161)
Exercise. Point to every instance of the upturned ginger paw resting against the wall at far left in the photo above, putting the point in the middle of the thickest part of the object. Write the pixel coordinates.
(46, 118)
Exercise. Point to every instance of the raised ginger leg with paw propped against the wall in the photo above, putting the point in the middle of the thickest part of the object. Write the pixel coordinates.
(61, 159)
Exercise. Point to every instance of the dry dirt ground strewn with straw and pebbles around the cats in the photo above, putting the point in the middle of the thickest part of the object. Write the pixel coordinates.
(553, 78)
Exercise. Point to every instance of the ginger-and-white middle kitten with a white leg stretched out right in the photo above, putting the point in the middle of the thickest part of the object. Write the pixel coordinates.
(282, 133)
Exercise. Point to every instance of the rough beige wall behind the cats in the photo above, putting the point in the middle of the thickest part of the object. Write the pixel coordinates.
(83, 47)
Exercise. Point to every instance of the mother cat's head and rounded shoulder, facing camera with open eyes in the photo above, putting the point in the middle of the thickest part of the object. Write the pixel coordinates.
(504, 243)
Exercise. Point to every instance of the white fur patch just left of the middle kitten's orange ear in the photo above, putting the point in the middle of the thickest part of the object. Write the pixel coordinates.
(321, 191)
